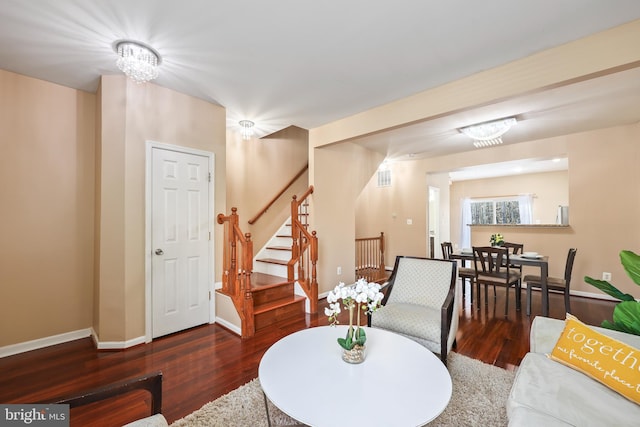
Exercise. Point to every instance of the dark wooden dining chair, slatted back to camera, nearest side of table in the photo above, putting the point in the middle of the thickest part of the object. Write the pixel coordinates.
(492, 267)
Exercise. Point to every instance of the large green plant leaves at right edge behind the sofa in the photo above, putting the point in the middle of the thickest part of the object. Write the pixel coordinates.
(626, 314)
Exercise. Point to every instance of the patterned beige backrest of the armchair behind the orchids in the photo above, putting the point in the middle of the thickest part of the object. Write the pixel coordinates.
(422, 281)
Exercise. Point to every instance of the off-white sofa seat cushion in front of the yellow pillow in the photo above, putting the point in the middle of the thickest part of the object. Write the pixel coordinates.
(566, 395)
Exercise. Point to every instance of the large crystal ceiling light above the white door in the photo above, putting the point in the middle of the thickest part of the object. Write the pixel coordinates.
(137, 60)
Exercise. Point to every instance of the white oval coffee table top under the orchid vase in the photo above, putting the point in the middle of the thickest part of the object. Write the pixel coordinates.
(400, 383)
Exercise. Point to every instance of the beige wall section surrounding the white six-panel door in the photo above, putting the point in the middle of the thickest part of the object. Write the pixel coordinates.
(131, 115)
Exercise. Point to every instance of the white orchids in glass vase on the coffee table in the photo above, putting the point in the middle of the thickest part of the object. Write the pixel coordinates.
(362, 297)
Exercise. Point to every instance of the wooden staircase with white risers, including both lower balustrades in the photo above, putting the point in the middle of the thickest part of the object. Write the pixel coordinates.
(280, 281)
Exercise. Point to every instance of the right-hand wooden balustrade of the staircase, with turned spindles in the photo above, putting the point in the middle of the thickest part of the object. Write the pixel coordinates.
(304, 250)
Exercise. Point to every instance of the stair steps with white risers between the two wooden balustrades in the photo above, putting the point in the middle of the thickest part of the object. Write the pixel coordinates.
(275, 298)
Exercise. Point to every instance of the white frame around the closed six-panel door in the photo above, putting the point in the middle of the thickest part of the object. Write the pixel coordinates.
(150, 145)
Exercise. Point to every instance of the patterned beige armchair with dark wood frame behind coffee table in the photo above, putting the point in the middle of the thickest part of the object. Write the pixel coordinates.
(421, 303)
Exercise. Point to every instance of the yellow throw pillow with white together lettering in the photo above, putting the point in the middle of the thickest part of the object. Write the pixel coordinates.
(607, 360)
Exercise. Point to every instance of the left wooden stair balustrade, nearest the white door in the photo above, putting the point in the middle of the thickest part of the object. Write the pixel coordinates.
(237, 268)
